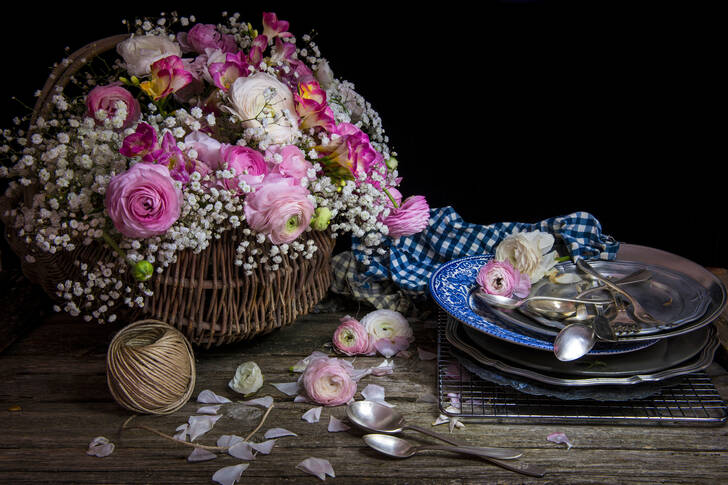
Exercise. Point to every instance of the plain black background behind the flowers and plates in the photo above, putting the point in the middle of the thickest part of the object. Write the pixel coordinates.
(508, 111)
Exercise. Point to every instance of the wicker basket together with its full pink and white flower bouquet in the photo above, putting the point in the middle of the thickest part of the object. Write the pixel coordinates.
(199, 175)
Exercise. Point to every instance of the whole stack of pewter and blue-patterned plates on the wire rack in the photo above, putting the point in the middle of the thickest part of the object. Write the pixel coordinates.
(518, 346)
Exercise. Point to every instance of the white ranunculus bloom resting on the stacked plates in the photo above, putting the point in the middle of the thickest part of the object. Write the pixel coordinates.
(528, 252)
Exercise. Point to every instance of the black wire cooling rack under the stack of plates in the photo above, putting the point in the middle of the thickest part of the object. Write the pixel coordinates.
(692, 401)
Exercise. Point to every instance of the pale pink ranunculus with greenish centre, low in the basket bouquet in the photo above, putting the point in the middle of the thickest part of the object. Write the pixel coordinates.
(279, 208)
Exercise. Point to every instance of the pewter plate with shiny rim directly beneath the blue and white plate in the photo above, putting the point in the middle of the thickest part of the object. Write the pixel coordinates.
(698, 362)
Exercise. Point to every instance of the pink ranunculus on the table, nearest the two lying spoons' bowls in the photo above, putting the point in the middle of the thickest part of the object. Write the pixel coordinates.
(328, 381)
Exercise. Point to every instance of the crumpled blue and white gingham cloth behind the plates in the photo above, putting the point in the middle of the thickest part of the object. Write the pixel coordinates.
(403, 270)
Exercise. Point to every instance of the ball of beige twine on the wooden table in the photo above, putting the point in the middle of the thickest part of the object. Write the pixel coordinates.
(150, 368)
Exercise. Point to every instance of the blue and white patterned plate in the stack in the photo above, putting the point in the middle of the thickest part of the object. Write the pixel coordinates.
(451, 286)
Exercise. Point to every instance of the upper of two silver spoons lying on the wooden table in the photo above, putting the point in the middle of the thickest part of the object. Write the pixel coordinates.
(372, 416)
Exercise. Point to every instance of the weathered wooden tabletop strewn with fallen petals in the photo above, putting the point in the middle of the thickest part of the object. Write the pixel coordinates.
(55, 374)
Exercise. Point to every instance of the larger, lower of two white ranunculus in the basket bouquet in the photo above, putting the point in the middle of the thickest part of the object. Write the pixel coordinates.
(261, 100)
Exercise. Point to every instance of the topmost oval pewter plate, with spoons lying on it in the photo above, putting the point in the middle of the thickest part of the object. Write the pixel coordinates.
(669, 296)
